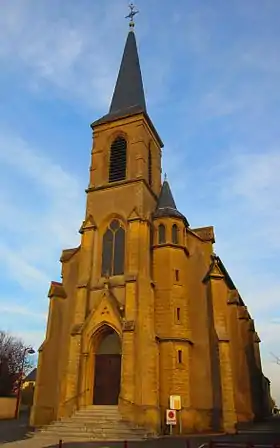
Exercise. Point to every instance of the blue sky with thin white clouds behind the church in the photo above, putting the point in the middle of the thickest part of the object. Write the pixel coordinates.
(211, 71)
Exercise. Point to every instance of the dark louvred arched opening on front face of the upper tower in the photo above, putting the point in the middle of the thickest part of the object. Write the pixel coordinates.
(117, 169)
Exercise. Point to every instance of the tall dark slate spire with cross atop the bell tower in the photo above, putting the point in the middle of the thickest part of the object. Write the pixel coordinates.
(129, 90)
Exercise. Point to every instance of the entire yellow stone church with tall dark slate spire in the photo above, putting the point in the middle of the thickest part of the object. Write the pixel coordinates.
(145, 308)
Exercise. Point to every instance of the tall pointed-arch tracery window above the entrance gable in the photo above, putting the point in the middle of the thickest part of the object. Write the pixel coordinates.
(113, 251)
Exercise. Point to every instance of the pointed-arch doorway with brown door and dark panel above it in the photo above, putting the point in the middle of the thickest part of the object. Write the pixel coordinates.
(107, 369)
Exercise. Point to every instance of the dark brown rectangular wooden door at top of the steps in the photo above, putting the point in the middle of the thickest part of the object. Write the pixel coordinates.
(107, 379)
